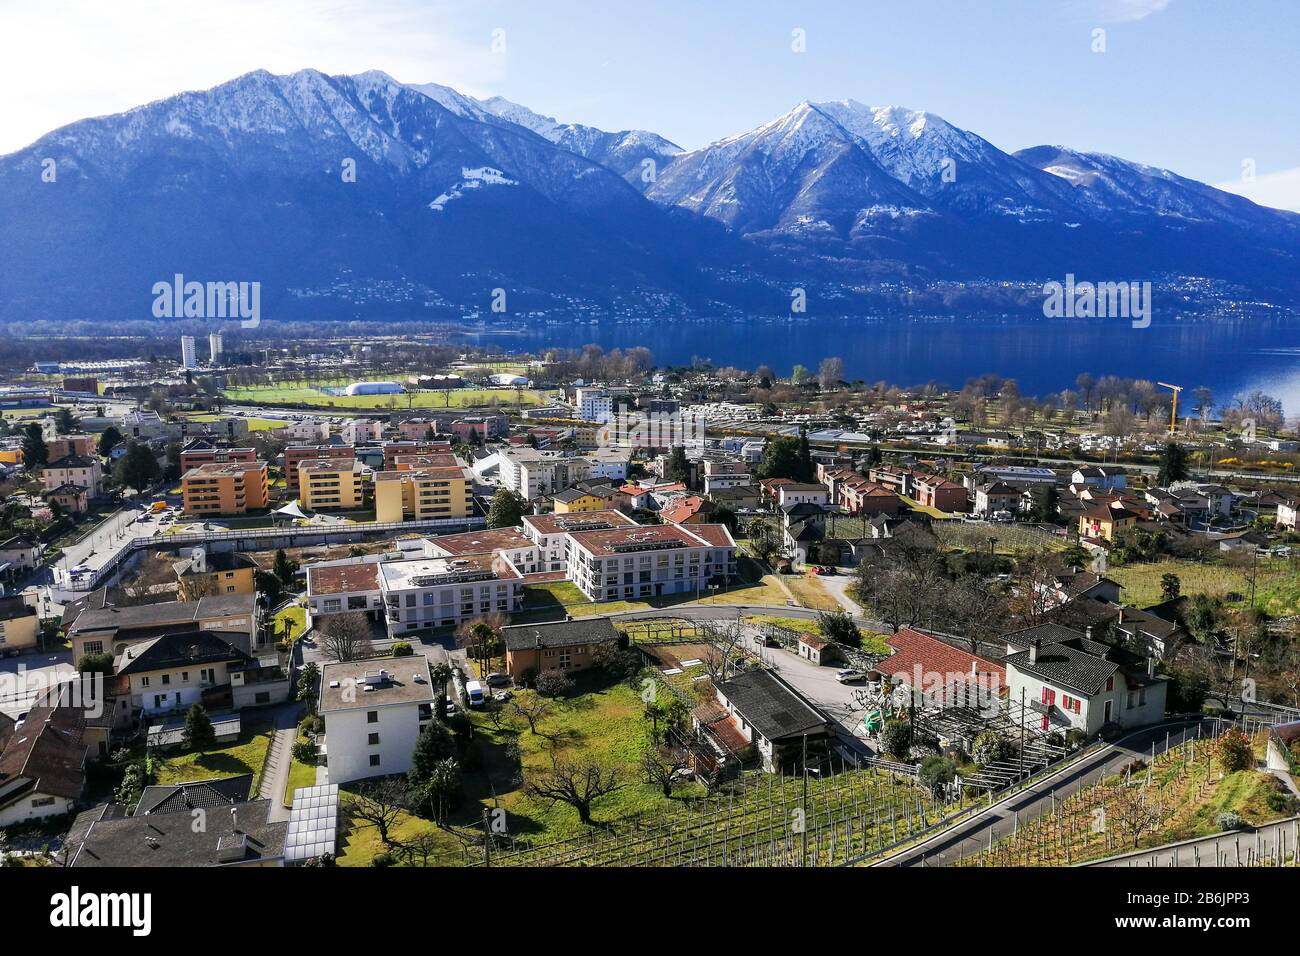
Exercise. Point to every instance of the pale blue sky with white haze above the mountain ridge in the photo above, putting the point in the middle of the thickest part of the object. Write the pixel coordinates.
(1199, 86)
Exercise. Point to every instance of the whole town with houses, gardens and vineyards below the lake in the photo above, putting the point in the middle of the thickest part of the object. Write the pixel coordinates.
(406, 603)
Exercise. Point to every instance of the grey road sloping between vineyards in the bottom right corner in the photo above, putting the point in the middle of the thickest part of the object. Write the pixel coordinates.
(999, 821)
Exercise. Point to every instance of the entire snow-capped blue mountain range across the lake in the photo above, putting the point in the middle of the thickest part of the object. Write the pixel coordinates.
(359, 196)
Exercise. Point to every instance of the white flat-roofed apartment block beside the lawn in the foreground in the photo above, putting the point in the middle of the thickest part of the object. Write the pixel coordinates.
(374, 713)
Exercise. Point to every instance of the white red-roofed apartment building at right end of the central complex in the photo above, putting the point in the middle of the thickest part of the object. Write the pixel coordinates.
(652, 561)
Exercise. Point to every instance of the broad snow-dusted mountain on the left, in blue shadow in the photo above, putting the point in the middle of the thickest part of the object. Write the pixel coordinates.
(310, 181)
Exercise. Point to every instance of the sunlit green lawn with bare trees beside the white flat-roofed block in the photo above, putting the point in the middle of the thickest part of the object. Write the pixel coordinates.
(604, 724)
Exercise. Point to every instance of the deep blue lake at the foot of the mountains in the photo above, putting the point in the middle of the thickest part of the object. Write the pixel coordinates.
(1046, 356)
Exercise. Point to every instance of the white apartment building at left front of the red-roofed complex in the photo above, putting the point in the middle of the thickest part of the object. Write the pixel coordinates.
(441, 592)
